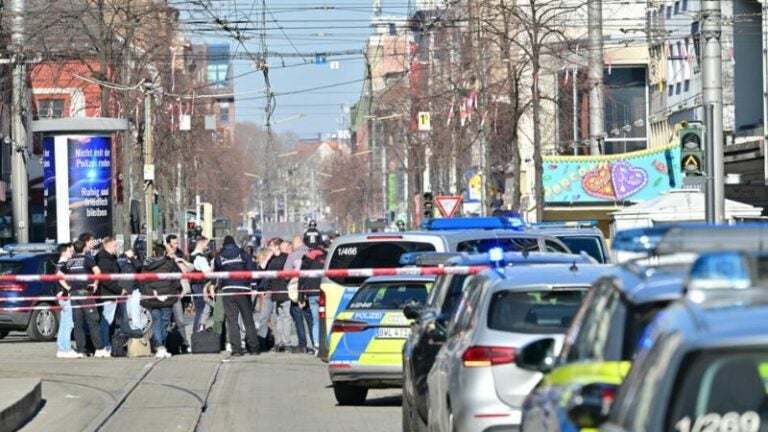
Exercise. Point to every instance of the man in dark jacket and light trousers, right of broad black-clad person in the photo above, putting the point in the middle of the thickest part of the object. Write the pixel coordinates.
(278, 289)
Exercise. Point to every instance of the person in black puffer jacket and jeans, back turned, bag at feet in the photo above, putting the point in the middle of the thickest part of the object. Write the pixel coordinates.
(162, 295)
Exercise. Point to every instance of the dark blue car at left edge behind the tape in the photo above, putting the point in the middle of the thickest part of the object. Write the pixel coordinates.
(40, 325)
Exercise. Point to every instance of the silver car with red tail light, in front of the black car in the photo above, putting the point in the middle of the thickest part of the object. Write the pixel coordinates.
(475, 384)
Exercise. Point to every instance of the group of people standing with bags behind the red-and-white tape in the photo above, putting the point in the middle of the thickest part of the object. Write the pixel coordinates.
(254, 312)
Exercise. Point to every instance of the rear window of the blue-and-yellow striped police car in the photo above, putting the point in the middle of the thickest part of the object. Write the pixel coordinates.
(388, 296)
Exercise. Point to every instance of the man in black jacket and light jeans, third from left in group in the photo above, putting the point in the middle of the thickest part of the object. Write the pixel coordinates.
(106, 259)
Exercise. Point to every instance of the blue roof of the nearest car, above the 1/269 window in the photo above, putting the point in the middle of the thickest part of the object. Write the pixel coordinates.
(734, 318)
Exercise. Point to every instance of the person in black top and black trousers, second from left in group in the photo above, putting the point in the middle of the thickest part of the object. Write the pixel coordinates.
(84, 311)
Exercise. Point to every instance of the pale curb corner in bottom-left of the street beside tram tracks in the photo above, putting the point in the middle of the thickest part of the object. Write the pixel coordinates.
(20, 402)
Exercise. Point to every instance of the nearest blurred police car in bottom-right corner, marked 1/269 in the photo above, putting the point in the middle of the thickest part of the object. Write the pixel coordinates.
(703, 363)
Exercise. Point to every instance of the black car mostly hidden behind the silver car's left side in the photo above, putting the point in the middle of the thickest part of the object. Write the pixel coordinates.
(419, 351)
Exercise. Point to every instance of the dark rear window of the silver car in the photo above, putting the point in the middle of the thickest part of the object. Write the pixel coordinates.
(534, 311)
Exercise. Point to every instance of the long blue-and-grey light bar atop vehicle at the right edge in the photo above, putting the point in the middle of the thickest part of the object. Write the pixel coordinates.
(693, 238)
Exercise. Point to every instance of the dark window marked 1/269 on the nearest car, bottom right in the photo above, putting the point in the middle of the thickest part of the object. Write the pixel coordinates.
(721, 388)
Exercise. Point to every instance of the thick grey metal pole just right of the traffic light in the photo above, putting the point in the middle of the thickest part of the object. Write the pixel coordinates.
(712, 85)
